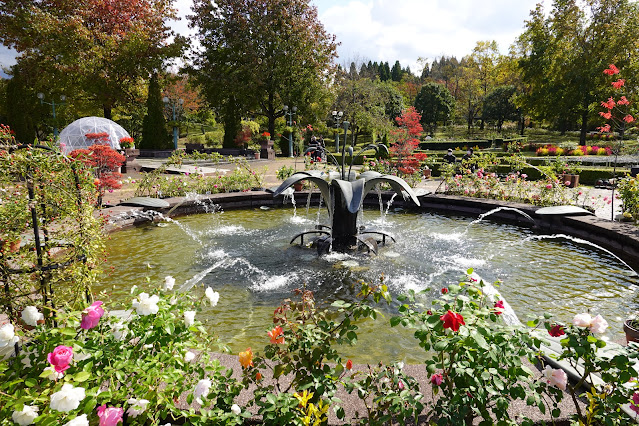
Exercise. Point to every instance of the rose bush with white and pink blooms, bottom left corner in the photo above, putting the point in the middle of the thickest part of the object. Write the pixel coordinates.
(133, 368)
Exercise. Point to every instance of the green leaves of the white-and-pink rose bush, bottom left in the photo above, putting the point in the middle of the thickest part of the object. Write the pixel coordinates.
(135, 354)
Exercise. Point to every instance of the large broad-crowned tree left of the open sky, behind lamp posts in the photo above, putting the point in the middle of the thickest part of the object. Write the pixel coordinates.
(257, 56)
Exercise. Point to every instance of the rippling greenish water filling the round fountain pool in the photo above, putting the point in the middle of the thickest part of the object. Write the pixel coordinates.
(246, 256)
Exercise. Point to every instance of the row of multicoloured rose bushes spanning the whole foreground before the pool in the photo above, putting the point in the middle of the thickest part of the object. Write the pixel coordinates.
(152, 365)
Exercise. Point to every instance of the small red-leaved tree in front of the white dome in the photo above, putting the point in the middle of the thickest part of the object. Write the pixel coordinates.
(105, 162)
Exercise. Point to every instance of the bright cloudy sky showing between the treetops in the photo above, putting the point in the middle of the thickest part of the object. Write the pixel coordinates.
(404, 30)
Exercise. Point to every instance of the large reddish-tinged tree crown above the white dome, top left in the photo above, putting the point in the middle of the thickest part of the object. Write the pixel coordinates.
(100, 47)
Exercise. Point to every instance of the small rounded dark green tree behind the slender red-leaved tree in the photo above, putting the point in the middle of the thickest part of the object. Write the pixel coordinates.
(435, 103)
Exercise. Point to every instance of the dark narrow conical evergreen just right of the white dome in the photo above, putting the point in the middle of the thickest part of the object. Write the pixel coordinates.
(154, 134)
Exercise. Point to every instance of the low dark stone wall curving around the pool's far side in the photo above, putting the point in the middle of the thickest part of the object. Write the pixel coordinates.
(620, 238)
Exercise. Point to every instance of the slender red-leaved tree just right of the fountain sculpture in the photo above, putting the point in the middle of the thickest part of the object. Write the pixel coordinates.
(406, 140)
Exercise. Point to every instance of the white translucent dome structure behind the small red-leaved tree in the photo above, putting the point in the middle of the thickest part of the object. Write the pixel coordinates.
(74, 136)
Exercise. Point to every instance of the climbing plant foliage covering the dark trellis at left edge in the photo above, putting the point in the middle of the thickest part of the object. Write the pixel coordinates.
(62, 192)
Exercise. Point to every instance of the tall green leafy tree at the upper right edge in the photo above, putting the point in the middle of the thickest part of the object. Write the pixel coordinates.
(563, 53)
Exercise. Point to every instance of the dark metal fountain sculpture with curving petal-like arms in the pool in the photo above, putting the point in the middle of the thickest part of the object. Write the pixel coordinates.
(343, 194)
